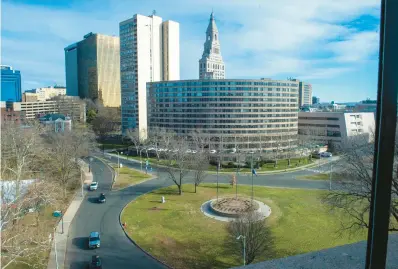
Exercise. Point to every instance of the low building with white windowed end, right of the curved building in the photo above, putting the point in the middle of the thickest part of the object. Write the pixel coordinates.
(334, 127)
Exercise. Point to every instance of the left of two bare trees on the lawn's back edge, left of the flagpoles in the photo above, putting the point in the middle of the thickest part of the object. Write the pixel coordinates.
(177, 160)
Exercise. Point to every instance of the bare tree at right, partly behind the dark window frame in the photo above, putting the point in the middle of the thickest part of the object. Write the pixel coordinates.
(354, 193)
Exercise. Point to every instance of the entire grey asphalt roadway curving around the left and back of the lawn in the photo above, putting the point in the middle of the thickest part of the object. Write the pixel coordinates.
(116, 250)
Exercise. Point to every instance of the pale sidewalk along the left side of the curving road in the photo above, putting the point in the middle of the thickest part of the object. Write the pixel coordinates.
(60, 235)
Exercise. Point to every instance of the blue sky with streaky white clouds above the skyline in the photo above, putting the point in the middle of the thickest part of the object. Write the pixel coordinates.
(331, 44)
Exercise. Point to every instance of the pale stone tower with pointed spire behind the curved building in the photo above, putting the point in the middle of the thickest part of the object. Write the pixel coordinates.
(211, 65)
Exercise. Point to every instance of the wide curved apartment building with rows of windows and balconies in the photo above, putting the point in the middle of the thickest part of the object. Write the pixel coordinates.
(236, 113)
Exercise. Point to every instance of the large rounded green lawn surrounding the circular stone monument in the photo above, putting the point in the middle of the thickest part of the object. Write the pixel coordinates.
(180, 235)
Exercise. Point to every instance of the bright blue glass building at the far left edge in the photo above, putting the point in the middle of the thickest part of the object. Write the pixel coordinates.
(10, 84)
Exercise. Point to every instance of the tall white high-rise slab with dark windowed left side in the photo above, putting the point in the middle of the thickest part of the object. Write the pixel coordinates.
(149, 51)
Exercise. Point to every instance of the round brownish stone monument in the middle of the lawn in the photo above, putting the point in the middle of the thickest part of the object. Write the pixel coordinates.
(233, 207)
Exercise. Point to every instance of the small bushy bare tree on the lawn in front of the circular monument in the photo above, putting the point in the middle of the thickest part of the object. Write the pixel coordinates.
(256, 234)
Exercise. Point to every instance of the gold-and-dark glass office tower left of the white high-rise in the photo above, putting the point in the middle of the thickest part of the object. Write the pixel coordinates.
(93, 67)
